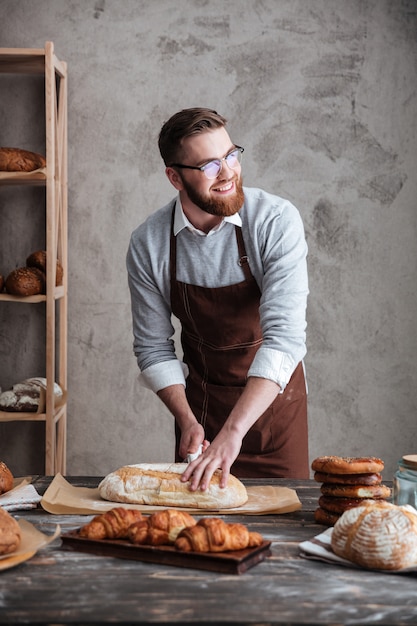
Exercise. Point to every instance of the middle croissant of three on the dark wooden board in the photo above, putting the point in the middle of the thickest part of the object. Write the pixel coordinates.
(160, 528)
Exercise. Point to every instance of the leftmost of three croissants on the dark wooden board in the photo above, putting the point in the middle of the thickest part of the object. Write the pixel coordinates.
(111, 525)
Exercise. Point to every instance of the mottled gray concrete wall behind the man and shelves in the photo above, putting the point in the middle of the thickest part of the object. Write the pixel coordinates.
(322, 94)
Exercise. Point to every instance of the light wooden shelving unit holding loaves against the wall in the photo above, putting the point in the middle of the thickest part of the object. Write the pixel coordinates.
(54, 177)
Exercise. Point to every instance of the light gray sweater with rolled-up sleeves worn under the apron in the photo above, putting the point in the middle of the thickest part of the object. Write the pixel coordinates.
(275, 244)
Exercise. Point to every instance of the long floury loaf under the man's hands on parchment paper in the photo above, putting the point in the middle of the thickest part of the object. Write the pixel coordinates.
(159, 484)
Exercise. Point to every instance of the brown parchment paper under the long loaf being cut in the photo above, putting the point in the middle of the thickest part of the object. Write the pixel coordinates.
(62, 498)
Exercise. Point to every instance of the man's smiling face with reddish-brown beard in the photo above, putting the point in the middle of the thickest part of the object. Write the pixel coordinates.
(220, 196)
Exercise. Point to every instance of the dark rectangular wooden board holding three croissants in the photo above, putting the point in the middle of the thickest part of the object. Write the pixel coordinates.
(236, 562)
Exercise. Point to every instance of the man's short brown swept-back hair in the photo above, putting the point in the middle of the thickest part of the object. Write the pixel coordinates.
(184, 124)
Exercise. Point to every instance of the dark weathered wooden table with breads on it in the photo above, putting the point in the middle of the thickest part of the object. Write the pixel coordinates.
(65, 587)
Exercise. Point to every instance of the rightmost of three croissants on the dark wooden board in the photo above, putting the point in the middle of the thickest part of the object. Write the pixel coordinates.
(212, 534)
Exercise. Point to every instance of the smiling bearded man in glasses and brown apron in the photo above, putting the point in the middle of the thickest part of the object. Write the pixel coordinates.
(230, 263)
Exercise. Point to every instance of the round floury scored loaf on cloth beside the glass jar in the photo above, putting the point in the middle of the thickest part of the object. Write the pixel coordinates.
(377, 535)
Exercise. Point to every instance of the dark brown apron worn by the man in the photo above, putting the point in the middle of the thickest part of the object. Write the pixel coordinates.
(220, 335)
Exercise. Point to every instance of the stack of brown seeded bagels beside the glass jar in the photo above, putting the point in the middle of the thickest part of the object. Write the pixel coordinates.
(347, 482)
